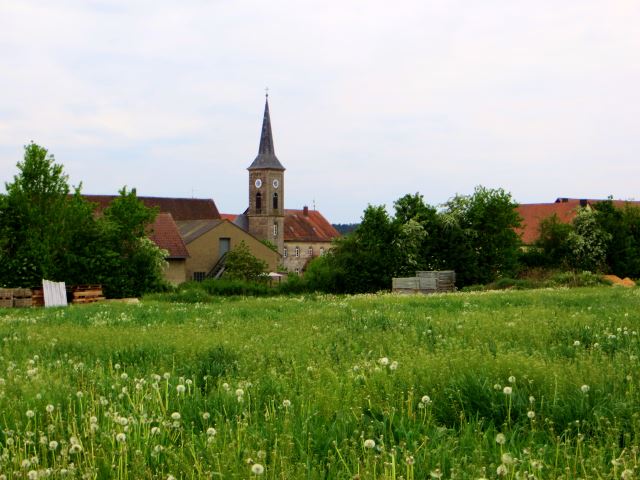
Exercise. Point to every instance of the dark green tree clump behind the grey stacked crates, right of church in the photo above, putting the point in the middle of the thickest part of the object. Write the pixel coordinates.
(473, 235)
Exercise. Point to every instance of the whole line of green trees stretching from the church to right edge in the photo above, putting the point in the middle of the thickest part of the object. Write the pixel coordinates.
(475, 235)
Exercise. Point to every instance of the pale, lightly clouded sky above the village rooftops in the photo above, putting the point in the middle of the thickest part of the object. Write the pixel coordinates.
(369, 100)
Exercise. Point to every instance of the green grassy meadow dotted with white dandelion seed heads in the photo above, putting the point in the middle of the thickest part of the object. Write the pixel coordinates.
(506, 384)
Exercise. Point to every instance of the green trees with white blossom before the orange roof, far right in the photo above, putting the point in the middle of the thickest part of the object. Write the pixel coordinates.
(601, 238)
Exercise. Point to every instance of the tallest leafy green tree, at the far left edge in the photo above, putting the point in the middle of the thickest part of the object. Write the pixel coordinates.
(40, 221)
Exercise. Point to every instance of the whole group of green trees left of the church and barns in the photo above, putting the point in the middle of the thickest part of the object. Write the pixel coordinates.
(49, 231)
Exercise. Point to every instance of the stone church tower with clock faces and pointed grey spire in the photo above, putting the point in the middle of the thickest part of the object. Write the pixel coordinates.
(266, 189)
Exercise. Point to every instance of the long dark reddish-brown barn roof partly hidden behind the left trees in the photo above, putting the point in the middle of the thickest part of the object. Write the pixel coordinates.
(179, 208)
